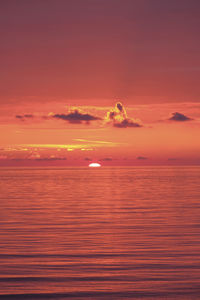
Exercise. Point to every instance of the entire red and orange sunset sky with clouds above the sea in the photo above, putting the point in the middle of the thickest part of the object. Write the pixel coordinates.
(110, 81)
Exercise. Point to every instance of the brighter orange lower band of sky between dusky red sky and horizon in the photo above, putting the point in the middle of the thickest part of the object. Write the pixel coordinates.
(62, 136)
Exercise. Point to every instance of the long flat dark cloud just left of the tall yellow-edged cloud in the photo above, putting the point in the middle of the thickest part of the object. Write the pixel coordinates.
(75, 116)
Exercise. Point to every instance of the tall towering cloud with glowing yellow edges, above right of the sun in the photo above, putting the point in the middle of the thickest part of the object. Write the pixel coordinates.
(118, 117)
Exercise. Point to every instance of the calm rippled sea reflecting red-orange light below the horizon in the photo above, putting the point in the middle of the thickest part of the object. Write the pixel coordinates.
(104, 233)
